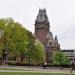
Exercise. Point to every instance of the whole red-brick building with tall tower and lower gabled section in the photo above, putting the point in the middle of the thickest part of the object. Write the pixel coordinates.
(44, 34)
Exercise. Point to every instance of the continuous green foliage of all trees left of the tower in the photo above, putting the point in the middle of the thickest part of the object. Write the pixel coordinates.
(18, 41)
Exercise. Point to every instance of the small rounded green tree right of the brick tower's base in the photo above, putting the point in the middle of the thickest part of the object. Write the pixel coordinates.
(59, 58)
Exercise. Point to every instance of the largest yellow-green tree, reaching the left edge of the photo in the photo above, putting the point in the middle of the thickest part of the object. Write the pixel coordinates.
(14, 38)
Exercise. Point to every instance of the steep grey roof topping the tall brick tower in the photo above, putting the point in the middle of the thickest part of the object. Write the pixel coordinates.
(42, 16)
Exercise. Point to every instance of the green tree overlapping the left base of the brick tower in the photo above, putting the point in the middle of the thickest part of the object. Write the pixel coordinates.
(35, 50)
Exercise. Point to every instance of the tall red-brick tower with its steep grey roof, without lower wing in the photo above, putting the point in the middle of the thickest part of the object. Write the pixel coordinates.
(42, 26)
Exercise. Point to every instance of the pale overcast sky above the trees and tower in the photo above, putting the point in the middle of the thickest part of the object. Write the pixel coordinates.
(61, 14)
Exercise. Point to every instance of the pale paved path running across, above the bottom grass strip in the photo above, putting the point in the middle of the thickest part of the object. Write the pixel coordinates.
(36, 69)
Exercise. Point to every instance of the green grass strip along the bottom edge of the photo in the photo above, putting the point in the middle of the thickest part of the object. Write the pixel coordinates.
(19, 73)
